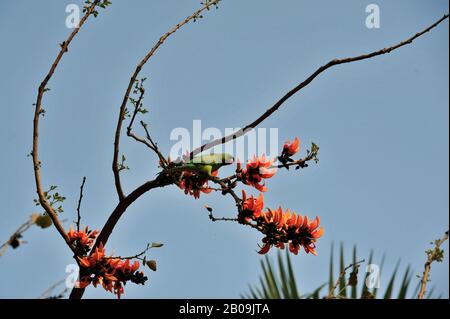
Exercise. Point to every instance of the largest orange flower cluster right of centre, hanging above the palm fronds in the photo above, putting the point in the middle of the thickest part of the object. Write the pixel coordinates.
(280, 228)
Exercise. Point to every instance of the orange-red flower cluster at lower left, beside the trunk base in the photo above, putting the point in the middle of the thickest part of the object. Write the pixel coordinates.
(110, 272)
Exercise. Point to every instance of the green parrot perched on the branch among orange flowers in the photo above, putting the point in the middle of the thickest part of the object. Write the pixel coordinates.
(205, 164)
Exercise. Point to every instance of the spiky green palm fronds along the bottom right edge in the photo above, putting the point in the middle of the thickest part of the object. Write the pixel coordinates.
(278, 280)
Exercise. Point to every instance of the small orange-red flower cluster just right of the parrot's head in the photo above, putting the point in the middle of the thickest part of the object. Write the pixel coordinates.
(257, 169)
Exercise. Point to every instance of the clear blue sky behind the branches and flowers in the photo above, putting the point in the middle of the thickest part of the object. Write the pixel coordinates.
(382, 125)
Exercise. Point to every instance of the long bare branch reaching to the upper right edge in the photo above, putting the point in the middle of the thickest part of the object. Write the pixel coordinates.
(303, 84)
